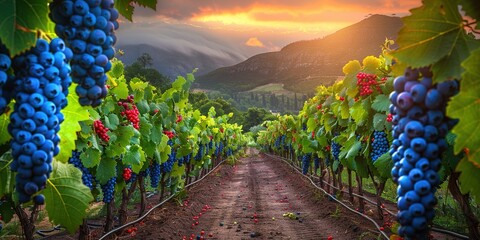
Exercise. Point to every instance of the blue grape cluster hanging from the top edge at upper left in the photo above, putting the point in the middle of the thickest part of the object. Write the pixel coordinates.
(88, 27)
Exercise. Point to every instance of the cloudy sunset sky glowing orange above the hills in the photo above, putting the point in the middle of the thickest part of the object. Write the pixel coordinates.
(248, 27)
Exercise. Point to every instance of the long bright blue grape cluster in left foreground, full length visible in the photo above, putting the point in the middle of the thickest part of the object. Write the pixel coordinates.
(41, 80)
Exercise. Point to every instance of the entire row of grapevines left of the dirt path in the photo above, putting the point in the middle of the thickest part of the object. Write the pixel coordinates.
(73, 130)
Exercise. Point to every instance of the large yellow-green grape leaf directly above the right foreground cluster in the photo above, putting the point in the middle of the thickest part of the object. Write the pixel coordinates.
(434, 33)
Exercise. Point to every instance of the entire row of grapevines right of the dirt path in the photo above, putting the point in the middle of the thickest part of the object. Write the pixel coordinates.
(409, 115)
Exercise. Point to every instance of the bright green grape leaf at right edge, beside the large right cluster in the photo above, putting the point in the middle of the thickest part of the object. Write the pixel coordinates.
(465, 106)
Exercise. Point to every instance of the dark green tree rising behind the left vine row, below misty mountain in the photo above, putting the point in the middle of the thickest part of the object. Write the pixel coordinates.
(141, 68)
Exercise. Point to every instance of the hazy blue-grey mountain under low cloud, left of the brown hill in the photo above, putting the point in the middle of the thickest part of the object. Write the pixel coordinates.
(172, 63)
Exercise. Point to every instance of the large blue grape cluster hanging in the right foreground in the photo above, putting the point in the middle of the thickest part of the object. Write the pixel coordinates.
(419, 130)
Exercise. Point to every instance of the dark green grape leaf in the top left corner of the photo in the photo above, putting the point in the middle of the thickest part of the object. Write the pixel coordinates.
(20, 19)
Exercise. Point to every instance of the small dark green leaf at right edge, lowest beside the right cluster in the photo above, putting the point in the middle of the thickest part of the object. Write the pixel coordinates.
(469, 178)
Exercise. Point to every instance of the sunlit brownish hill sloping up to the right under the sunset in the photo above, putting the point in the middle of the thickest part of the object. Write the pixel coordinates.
(302, 65)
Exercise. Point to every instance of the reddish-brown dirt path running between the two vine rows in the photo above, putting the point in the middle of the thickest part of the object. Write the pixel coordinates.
(248, 201)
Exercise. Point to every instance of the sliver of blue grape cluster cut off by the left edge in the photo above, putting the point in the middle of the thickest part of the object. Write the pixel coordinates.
(6, 81)
